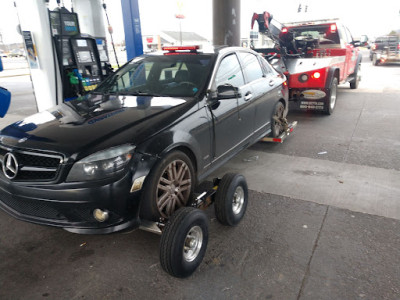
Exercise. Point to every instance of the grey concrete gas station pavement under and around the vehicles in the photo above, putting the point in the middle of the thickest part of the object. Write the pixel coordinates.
(322, 219)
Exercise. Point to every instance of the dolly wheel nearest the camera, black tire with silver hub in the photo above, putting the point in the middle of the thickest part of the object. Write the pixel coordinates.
(184, 242)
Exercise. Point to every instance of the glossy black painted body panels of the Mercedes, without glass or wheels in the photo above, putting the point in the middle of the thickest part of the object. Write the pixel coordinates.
(210, 131)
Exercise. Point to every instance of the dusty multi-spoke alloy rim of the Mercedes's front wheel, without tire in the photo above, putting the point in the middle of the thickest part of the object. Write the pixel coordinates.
(173, 188)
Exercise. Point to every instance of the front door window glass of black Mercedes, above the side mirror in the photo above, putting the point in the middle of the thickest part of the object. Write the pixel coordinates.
(229, 72)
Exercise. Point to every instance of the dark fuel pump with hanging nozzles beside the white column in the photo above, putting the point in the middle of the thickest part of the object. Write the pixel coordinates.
(83, 60)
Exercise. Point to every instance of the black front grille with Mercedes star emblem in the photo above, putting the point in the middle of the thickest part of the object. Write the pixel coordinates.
(34, 166)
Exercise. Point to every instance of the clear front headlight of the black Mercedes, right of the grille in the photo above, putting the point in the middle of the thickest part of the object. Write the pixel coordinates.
(101, 164)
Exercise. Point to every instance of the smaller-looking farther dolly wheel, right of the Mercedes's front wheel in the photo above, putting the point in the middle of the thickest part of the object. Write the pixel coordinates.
(231, 199)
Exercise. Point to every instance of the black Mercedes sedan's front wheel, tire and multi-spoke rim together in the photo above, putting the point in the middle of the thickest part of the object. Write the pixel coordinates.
(170, 185)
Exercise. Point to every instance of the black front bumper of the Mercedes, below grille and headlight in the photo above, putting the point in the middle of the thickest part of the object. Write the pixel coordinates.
(71, 206)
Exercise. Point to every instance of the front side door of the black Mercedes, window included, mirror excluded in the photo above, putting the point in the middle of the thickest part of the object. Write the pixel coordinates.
(233, 118)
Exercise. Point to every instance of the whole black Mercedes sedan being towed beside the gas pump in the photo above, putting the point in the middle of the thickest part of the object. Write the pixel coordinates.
(136, 147)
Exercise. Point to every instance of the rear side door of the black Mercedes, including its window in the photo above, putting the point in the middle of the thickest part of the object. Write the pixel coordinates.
(263, 82)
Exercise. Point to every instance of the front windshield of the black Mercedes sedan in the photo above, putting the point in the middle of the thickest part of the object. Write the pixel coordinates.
(168, 75)
